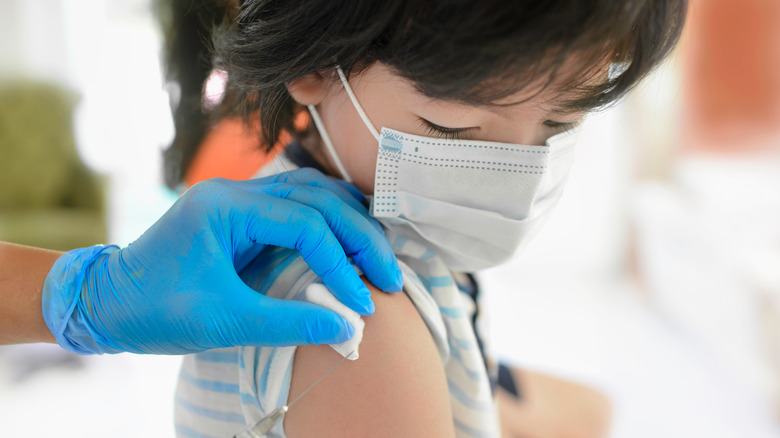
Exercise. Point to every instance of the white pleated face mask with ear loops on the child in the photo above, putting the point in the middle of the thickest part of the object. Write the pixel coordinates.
(474, 203)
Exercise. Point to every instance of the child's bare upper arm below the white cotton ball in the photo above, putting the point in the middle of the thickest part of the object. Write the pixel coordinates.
(396, 388)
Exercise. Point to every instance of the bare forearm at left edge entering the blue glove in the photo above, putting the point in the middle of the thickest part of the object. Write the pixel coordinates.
(23, 270)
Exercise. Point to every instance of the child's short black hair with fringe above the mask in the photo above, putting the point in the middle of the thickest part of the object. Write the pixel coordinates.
(471, 51)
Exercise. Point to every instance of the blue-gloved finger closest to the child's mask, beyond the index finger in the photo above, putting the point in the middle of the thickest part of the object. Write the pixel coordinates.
(369, 248)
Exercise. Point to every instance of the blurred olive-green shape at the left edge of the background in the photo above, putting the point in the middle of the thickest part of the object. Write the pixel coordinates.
(48, 196)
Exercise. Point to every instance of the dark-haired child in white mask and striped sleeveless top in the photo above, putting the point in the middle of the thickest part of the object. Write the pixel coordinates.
(458, 118)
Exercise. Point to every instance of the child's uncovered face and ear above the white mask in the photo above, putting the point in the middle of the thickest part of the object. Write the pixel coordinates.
(393, 102)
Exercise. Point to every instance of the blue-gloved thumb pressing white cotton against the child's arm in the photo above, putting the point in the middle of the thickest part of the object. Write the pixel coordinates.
(259, 320)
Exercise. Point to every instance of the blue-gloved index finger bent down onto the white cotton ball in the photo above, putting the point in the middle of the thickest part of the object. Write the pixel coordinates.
(286, 223)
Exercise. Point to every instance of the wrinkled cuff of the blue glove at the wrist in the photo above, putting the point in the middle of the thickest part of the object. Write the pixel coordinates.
(60, 298)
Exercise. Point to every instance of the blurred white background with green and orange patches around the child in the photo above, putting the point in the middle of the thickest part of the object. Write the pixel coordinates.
(656, 282)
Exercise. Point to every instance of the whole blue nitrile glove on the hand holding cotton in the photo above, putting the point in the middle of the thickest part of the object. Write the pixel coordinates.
(175, 290)
